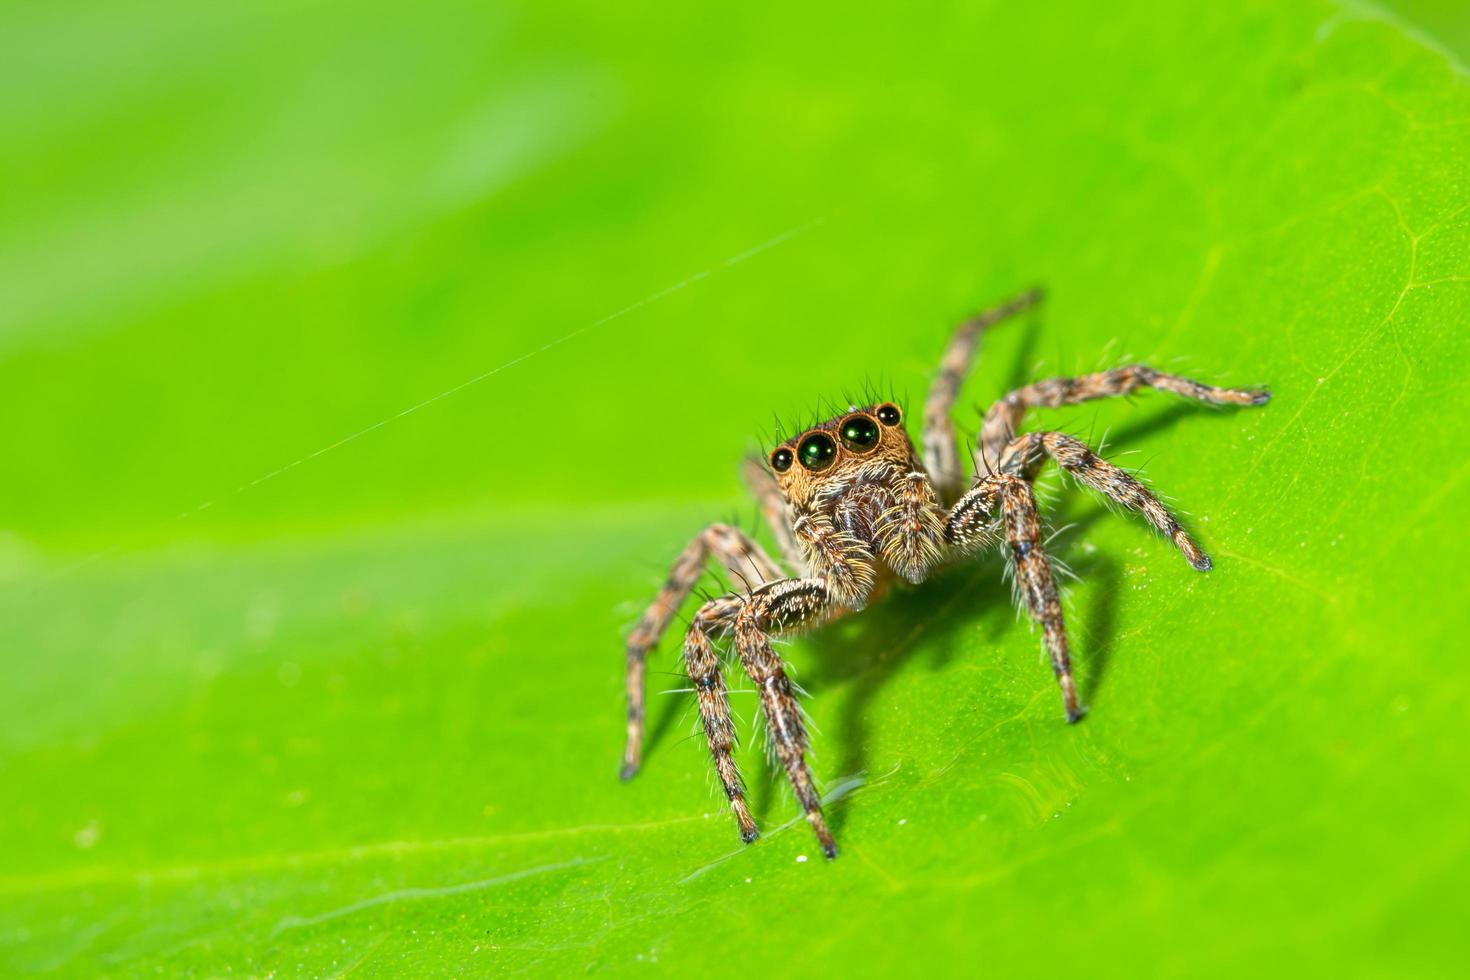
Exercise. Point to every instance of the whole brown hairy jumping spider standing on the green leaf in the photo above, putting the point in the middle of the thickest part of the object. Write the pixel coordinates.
(853, 508)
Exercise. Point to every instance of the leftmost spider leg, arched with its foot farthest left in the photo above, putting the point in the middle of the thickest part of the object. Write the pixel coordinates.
(742, 556)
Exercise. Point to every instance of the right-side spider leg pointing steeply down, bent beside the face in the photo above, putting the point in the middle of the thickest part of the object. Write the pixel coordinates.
(1021, 519)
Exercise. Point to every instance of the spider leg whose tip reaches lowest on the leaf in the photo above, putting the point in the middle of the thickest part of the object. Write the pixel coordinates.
(780, 608)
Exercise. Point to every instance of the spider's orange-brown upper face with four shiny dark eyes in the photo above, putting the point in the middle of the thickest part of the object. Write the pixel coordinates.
(837, 452)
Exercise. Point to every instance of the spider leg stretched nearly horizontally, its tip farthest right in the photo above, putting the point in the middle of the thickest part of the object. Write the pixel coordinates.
(1005, 418)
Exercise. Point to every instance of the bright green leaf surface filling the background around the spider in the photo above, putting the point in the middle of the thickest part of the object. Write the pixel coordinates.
(309, 671)
